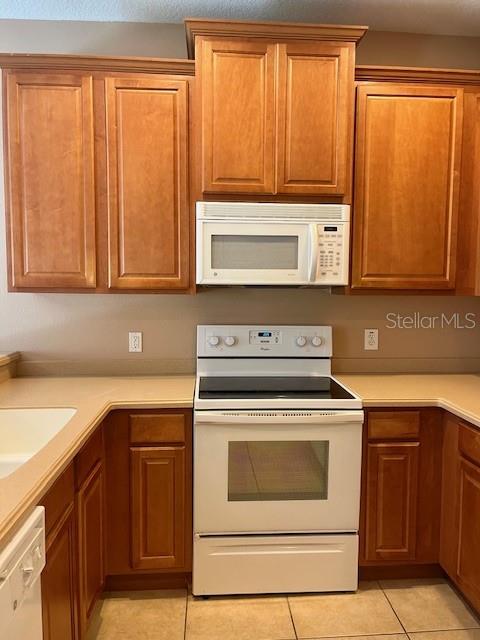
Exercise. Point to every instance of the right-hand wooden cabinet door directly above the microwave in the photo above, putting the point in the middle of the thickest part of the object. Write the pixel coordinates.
(315, 118)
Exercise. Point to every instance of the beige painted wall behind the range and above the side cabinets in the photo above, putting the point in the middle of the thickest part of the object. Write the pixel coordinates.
(70, 334)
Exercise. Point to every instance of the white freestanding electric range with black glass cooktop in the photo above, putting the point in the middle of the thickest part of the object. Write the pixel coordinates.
(277, 462)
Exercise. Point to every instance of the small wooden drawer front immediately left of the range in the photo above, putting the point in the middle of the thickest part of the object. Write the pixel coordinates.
(157, 428)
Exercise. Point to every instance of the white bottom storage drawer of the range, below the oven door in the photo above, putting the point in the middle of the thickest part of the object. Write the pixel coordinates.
(274, 564)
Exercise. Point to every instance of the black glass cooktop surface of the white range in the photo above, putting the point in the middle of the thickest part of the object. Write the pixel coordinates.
(251, 387)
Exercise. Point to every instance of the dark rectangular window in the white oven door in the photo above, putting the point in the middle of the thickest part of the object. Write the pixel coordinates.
(277, 470)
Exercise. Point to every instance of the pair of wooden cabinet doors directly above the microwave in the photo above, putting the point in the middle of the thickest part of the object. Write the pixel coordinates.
(287, 127)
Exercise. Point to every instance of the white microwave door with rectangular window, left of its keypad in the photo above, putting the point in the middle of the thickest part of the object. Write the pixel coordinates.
(237, 252)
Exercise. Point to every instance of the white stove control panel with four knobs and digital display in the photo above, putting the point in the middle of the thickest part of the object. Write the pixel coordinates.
(278, 341)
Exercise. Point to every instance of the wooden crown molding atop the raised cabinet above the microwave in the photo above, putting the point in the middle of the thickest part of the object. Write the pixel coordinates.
(274, 31)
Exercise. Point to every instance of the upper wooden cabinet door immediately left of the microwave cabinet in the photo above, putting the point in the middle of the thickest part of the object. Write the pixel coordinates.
(147, 164)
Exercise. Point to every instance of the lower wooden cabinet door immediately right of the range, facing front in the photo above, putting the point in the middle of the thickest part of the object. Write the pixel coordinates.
(391, 504)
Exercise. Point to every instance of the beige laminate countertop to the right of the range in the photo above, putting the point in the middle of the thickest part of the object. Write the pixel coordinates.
(457, 393)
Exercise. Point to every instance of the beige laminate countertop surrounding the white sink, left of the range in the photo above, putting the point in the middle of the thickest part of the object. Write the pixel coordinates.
(93, 398)
